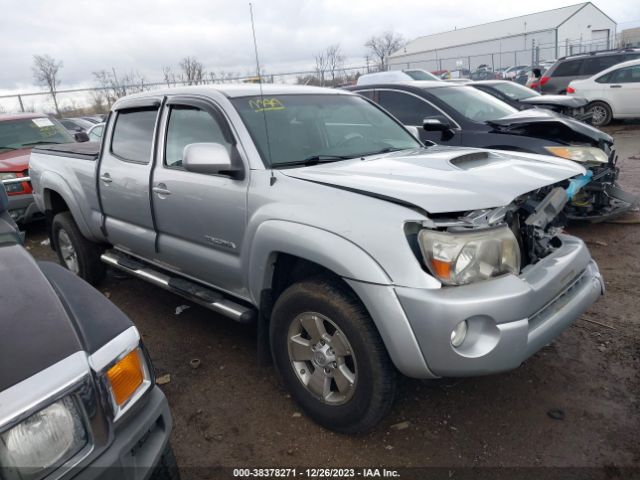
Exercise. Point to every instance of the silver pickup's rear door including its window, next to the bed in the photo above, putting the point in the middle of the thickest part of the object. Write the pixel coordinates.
(123, 177)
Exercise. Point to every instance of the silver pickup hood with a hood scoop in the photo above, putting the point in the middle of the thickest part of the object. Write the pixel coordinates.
(443, 179)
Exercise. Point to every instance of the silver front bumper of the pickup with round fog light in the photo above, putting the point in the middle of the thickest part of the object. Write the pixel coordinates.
(509, 318)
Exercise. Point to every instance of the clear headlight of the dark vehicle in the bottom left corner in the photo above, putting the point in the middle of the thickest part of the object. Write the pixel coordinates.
(45, 440)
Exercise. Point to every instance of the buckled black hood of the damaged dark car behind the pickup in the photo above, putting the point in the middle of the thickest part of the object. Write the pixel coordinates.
(550, 125)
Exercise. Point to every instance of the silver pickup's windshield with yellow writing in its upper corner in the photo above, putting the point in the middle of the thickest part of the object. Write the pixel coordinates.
(334, 127)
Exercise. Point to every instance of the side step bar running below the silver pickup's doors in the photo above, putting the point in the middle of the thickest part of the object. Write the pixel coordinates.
(206, 297)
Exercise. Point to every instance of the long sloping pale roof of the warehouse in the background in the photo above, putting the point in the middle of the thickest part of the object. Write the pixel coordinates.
(535, 22)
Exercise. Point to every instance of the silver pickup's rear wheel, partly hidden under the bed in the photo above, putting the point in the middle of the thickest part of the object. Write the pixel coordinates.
(75, 252)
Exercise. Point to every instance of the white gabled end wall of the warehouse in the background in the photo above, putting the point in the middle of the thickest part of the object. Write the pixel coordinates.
(575, 35)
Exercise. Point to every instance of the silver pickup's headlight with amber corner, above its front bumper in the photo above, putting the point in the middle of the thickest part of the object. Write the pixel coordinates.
(466, 257)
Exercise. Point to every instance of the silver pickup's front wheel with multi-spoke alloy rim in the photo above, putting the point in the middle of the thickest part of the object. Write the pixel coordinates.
(352, 353)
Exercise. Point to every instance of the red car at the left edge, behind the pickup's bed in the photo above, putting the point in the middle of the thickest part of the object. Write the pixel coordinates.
(19, 133)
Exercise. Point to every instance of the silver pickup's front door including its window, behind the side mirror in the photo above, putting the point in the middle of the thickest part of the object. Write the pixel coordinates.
(200, 218)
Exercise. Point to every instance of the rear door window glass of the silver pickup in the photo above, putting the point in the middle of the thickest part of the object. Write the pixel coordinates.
(133, 134)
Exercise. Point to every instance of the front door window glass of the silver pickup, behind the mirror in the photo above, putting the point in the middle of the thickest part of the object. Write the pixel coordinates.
(190, 125)
